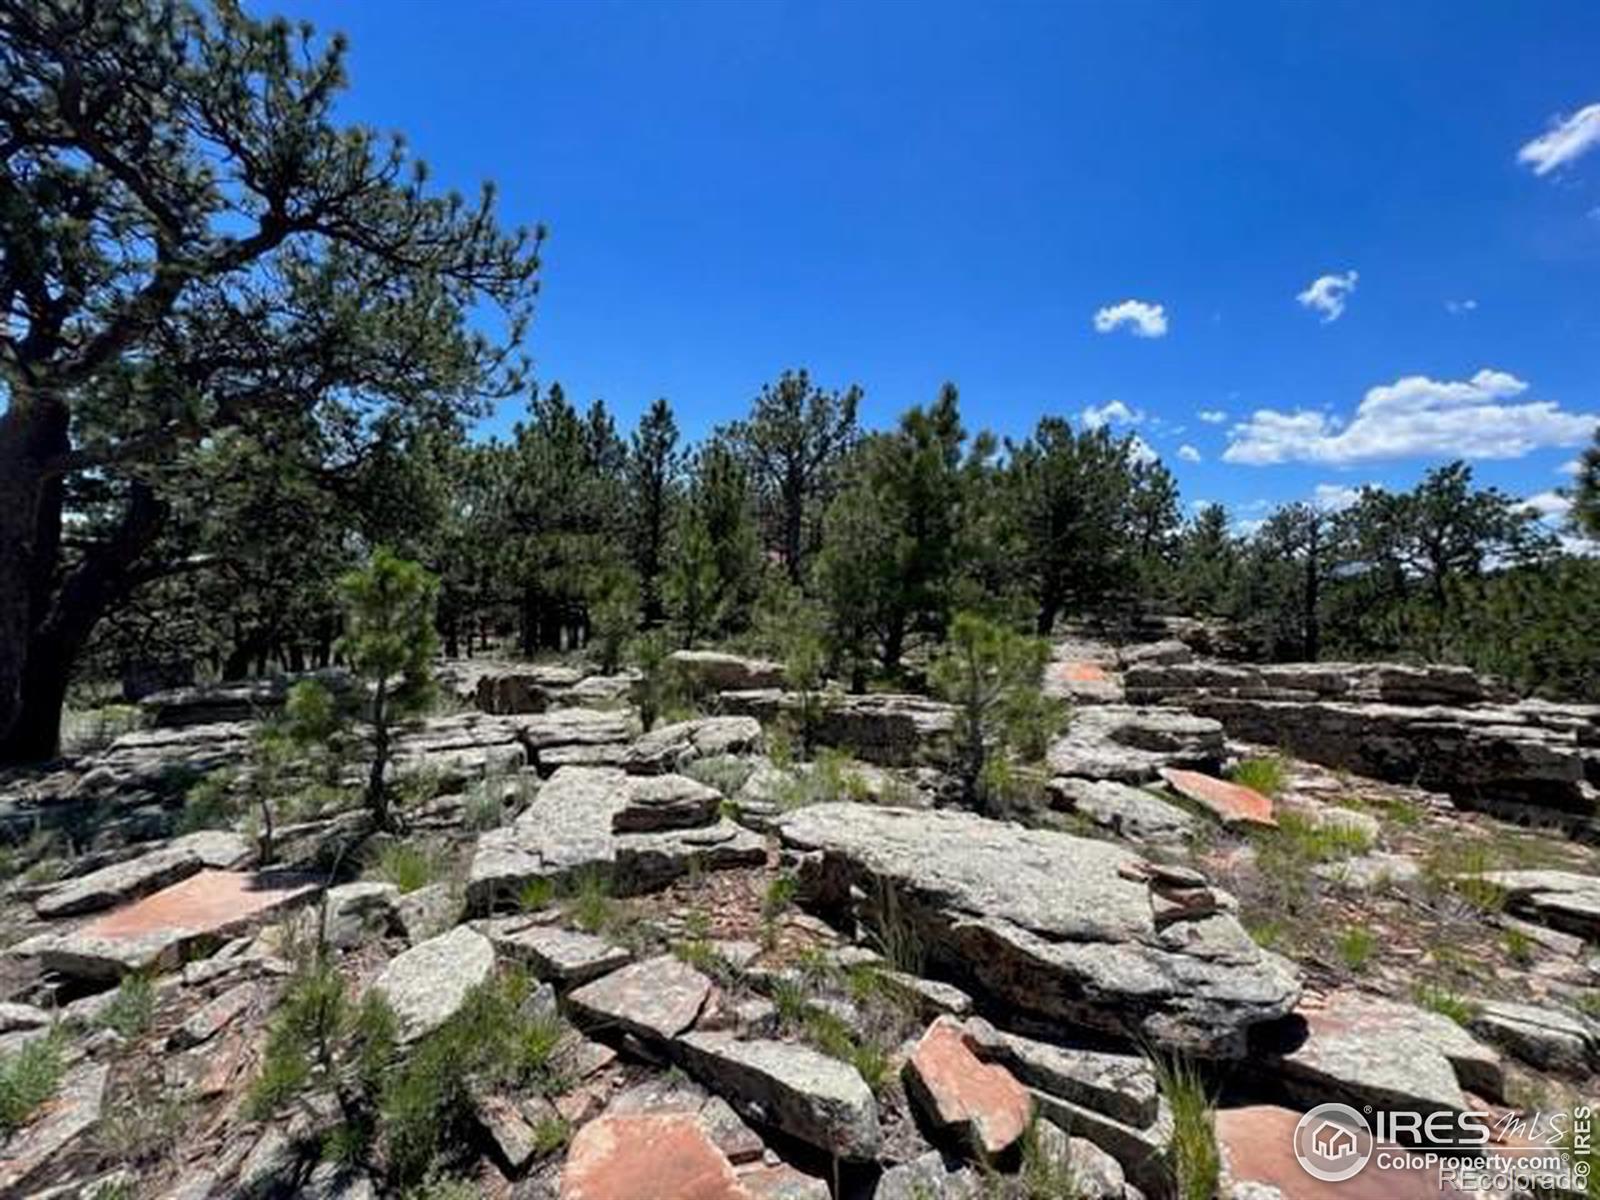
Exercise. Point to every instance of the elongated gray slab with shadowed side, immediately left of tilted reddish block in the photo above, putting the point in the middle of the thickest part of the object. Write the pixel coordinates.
(791, 1087)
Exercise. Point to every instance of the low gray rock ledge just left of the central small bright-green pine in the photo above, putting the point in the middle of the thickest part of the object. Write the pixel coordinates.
(884, 729)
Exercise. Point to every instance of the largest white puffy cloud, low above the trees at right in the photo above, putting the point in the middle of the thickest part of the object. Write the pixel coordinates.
(1415, 418)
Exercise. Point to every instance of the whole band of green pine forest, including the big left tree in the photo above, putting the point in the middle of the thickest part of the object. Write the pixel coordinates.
(244, 343)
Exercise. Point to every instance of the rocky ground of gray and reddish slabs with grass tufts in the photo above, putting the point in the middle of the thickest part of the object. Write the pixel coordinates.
(626, 966)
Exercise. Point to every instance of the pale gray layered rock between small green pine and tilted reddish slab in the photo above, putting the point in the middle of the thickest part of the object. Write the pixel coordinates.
(1132, 745)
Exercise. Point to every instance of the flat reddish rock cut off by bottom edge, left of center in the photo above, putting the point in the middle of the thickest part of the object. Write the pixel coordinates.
(647, 1158)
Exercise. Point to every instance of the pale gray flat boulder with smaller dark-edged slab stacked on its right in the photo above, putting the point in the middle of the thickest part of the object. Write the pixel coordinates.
(636, 833)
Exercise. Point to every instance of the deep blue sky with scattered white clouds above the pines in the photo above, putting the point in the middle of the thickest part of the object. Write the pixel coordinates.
(900, 194)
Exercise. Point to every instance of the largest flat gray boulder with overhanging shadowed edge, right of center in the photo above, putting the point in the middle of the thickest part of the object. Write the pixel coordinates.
(1055, 926)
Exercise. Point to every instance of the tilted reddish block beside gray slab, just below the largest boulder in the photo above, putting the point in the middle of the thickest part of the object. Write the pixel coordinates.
(961, 1092)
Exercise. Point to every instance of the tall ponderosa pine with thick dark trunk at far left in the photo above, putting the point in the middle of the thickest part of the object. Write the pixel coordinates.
(191, 246)
